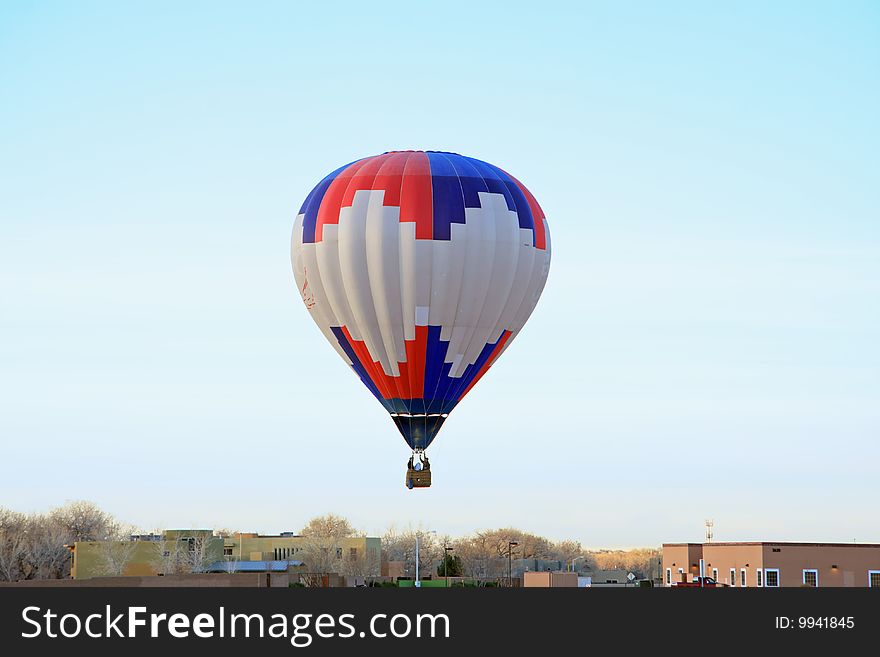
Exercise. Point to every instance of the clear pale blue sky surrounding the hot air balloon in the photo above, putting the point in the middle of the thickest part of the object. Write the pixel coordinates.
(707, 345)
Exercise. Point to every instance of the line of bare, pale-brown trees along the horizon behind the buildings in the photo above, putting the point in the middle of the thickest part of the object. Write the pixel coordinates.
(33, 546)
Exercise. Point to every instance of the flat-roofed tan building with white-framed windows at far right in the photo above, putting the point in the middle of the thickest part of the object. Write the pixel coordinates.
(772, 565)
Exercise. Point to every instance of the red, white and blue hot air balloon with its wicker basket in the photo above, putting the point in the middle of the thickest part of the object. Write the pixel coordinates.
(420, 268)
